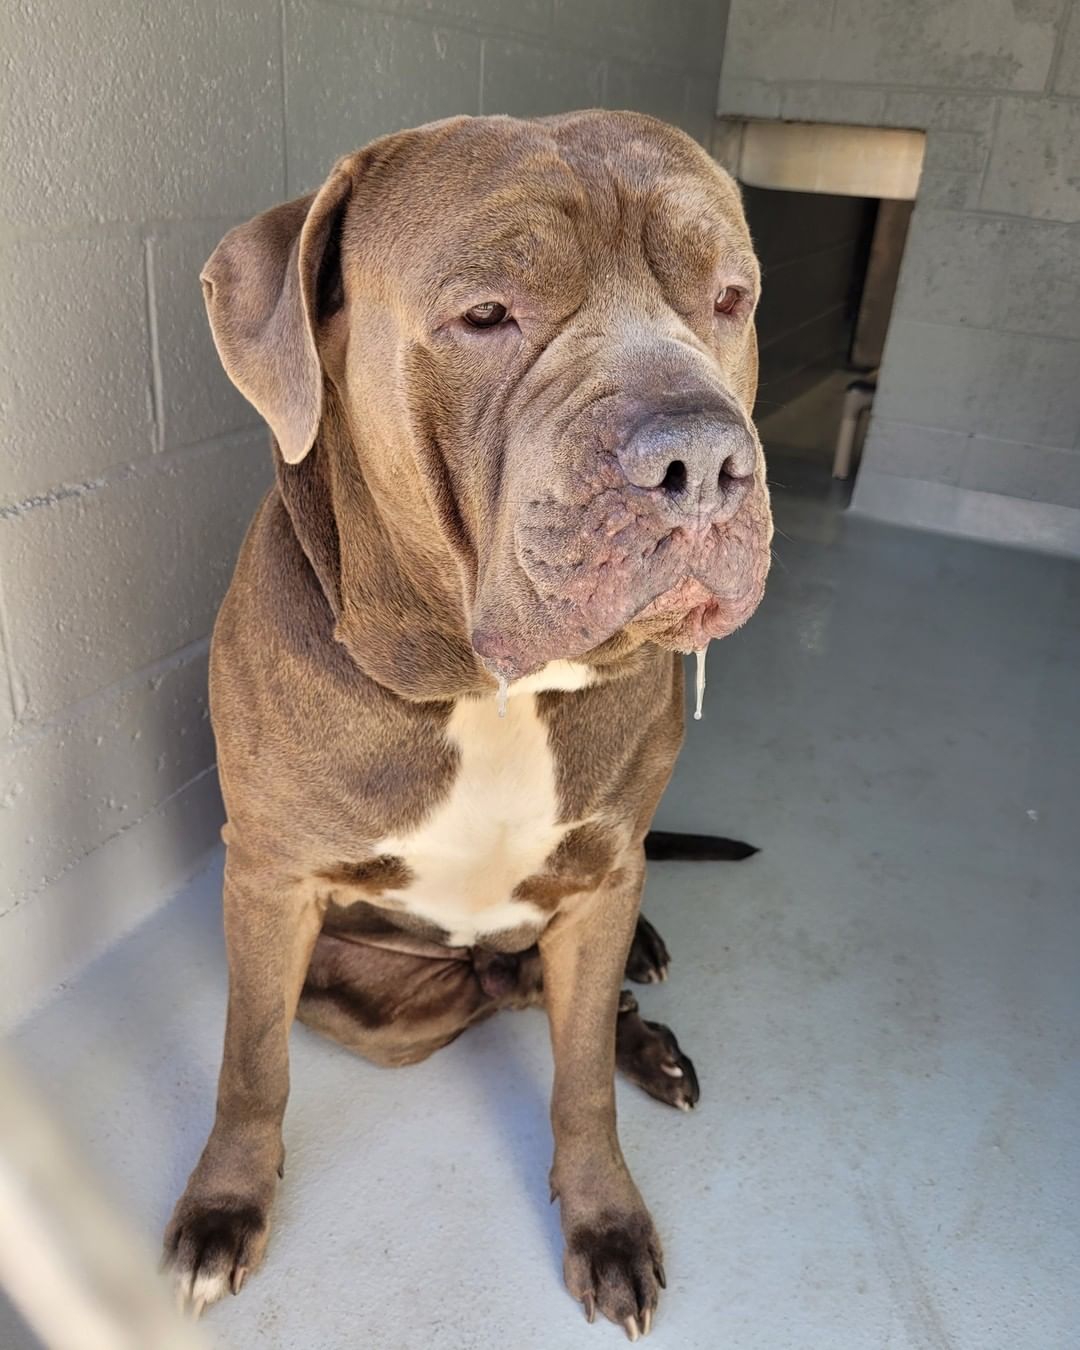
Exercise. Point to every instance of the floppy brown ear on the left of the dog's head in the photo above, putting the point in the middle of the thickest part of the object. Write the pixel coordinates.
(267, 287)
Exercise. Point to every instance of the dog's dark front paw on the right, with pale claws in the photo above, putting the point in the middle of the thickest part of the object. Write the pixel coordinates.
(615, 1266)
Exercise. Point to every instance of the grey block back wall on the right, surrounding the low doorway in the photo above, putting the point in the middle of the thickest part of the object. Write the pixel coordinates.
(977, 426)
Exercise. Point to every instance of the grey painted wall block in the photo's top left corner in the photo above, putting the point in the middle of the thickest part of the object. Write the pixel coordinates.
(121, 113)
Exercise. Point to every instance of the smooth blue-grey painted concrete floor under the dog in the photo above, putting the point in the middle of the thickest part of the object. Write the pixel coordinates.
(884, 1010)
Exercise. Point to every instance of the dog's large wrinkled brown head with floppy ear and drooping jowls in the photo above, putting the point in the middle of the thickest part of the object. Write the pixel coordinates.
(539, 337)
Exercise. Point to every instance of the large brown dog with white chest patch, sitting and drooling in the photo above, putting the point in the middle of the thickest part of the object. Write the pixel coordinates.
(510, 369)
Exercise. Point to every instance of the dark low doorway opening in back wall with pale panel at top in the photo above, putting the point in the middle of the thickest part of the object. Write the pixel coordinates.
(828, 210)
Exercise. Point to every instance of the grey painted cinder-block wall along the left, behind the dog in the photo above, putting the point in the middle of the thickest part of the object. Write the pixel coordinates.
(133, 137)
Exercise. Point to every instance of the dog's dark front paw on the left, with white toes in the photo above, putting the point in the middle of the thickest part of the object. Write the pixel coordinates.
(210, 1248)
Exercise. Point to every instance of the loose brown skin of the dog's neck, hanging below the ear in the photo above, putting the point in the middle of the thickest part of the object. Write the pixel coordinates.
(391, 580)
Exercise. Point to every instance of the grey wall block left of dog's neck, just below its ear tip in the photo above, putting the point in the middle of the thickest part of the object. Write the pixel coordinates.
(110, 581)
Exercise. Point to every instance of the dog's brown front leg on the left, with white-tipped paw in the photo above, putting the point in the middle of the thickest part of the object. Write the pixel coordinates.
(221, 1225)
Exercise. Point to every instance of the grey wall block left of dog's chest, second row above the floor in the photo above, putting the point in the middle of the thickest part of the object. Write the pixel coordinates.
(68, 788)
